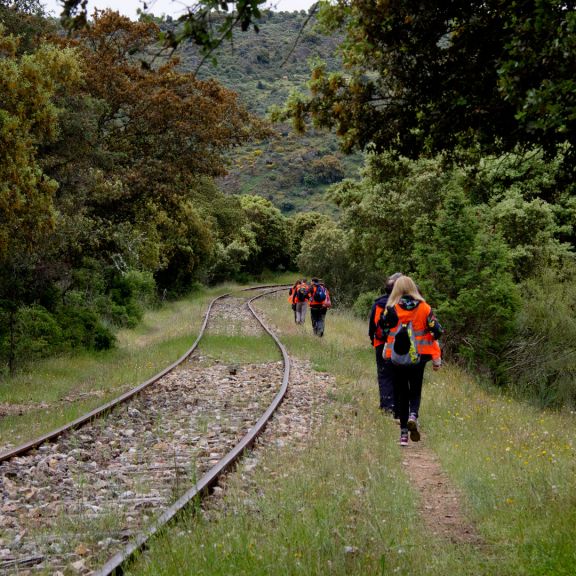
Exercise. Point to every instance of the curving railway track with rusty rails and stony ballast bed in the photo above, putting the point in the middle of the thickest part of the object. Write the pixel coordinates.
(84, 498)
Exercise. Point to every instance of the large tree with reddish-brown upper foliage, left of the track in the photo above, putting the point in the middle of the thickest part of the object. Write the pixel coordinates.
(145, 137)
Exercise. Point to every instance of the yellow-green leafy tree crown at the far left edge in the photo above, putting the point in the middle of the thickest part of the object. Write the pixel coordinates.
(28, 118)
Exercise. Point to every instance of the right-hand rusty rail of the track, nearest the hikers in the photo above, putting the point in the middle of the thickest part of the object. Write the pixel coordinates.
(115, 565)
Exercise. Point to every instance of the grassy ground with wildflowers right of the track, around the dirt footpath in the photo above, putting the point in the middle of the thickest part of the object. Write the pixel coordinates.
(345, 504)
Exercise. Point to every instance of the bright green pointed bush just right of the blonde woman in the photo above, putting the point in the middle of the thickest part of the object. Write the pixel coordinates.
(464, 269)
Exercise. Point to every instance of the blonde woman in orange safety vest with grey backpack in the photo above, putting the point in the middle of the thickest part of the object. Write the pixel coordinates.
(413, 332)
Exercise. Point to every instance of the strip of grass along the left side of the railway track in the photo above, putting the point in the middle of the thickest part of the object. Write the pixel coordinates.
(55, 391)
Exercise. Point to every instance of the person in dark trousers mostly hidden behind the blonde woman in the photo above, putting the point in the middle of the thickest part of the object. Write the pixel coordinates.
(384, 371)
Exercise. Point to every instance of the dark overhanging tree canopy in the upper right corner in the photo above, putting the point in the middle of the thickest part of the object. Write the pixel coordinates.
(425, 77)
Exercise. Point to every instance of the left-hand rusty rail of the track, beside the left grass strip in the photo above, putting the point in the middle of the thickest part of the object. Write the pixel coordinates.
(101, 410)
